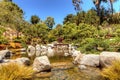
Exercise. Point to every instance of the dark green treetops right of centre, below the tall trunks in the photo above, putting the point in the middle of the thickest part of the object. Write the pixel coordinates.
(89, 17)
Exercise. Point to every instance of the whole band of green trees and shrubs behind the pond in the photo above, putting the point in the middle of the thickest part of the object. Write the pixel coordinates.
(92, 32)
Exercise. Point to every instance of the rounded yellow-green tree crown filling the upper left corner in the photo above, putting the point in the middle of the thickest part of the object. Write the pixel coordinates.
(9, 13)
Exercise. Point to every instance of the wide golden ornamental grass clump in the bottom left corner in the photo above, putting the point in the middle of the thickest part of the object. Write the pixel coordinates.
(14, 71)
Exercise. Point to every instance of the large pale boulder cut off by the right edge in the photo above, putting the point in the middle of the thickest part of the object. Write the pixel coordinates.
(106, 58)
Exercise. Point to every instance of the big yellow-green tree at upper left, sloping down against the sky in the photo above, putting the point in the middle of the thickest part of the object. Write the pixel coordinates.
(11, 15)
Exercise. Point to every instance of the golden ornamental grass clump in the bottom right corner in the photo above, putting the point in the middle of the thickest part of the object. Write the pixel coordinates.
(112, 72)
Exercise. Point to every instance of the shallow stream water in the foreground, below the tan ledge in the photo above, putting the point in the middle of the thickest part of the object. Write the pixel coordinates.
(73, 74)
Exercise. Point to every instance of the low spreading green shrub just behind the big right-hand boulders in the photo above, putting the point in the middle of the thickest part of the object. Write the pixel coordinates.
(92, 45)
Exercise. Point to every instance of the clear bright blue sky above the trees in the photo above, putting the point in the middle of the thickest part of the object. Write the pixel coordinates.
(57, 9)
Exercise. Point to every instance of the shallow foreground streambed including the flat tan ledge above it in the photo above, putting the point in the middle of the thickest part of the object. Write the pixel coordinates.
(69, 71)
